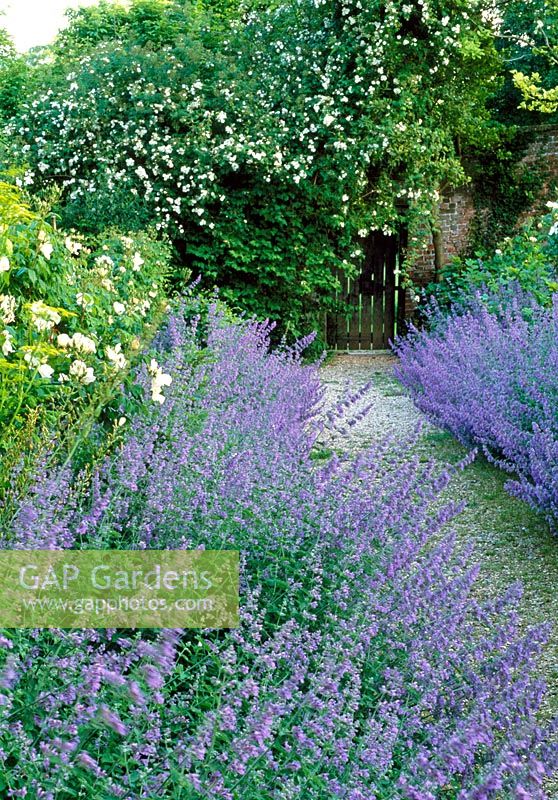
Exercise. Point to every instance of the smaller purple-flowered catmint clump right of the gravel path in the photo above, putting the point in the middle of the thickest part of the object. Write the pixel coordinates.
(488, 373)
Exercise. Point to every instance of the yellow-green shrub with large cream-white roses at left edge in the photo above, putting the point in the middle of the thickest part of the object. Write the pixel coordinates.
(72, 313)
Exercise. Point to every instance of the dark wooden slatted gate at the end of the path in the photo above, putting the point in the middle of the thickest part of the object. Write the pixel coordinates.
(371, 306)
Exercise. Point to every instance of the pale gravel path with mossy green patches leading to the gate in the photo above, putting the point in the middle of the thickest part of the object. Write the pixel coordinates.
(512, 542)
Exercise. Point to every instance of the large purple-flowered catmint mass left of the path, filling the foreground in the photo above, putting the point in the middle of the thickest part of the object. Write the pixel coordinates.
(362, 668)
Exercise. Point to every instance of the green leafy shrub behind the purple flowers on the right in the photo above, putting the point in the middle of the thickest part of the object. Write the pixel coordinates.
(530, 259)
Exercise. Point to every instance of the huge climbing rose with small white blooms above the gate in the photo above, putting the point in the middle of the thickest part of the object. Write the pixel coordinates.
(268, 146)
